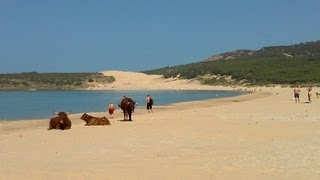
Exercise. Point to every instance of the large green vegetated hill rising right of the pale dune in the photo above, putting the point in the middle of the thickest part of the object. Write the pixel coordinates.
(295, 64)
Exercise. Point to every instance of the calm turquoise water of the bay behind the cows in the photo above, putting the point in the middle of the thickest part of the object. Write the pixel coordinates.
(17, 105)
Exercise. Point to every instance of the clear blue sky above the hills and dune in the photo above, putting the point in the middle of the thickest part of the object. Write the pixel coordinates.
(135, 35)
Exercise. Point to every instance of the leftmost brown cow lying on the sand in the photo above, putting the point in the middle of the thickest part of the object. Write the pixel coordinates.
(60, 122)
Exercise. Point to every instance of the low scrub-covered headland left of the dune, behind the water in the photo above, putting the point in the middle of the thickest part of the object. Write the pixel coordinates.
(52, 81)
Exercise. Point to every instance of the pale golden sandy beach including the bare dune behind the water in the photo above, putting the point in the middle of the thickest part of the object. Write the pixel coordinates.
(260, 135)
